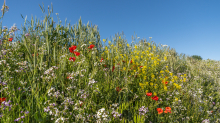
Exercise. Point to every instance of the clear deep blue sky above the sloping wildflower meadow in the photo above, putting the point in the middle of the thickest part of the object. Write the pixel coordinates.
(191, 27)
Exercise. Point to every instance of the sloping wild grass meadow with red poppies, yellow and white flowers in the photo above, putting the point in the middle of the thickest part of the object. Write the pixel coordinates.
(65, 74)
